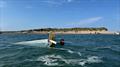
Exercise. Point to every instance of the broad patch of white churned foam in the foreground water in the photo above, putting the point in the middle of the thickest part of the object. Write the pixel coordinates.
(53, 60)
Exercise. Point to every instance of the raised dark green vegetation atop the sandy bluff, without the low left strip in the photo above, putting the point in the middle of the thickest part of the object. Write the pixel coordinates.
(69, 29)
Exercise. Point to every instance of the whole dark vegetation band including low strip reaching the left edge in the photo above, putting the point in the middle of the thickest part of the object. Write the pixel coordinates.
(57, 30)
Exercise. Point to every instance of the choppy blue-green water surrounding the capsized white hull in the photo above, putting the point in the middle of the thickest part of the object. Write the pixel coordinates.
(79, 51)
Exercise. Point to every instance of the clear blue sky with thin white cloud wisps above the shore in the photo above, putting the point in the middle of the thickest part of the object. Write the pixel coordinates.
(33, 14)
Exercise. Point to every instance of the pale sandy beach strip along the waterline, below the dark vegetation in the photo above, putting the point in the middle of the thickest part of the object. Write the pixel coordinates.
(61, 32)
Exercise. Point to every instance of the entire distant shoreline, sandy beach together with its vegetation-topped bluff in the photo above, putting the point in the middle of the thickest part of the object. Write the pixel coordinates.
(101, 30)
